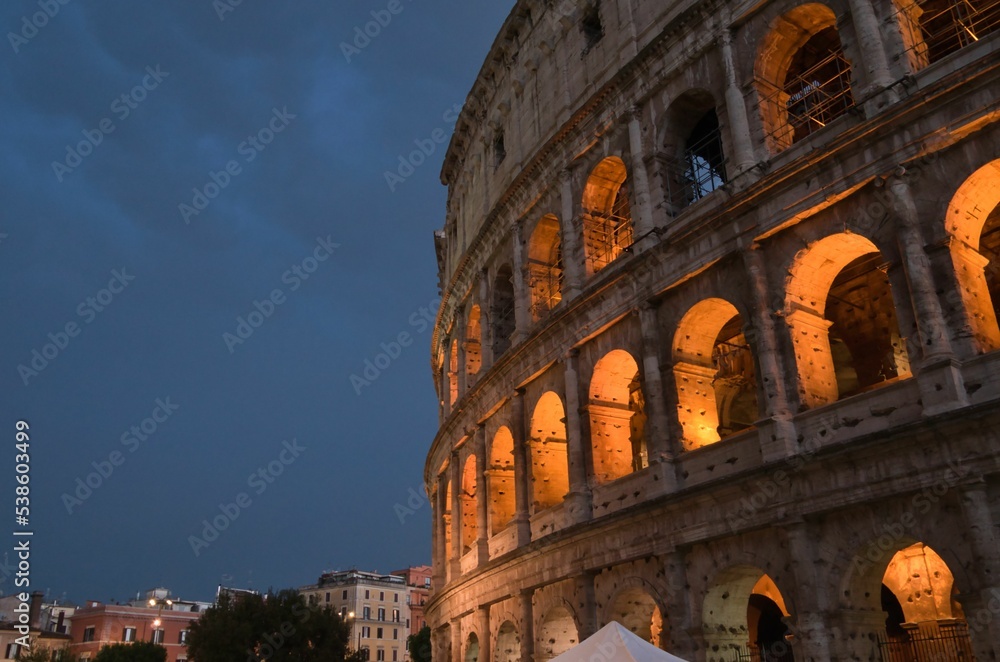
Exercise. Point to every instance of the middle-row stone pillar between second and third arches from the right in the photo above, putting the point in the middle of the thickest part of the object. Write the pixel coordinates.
(770, 367)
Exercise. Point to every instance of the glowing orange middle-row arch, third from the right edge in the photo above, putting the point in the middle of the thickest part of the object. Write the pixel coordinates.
(715, 374)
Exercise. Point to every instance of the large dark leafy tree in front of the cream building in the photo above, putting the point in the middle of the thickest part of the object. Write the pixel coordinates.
(278, 627)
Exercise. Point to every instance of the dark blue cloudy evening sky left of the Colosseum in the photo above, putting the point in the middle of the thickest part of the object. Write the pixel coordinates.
(96, 251)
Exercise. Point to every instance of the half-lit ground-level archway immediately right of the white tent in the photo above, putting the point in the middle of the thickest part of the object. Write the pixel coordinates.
(745, 611)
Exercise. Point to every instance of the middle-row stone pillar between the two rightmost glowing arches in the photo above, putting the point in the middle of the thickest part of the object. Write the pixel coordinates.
(941, 385)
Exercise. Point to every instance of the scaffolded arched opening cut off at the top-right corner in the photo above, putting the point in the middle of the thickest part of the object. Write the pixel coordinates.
(934, 29)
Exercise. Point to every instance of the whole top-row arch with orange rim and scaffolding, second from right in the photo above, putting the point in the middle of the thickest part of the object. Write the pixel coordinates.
(803, 77)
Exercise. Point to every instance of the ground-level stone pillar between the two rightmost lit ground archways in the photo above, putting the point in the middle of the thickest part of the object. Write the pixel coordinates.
(811, 638)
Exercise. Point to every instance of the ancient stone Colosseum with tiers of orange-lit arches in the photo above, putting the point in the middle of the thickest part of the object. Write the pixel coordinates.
(717, 354)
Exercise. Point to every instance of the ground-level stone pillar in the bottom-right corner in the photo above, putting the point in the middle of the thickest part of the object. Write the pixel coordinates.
(982, 606)
